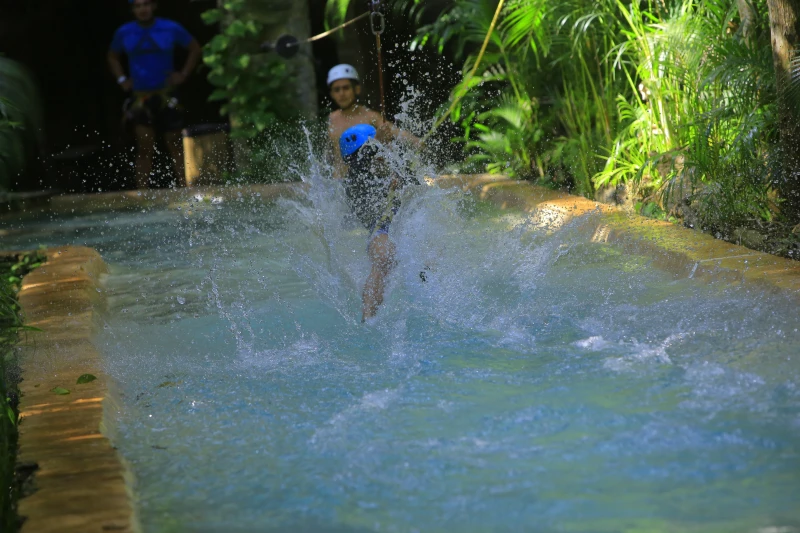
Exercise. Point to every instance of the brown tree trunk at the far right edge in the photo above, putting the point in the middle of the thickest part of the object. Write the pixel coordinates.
(784, 18)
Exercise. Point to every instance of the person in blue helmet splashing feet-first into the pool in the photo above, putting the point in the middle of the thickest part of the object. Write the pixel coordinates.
(373, 199)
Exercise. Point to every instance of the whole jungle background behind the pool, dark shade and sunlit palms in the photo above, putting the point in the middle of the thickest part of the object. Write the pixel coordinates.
(678, 109)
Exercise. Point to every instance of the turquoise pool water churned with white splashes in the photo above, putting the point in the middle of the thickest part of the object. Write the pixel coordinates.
(536, 381)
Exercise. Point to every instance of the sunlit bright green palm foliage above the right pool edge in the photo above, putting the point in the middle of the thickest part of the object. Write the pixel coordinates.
(665, 96)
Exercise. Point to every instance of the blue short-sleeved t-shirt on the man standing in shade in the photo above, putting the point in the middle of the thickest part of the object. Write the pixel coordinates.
(150, 51)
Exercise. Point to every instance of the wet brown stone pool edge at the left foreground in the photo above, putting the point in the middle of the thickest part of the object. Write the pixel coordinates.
(80, 483)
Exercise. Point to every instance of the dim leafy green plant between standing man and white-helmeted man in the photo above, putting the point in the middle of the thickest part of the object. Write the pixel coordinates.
(252, 84)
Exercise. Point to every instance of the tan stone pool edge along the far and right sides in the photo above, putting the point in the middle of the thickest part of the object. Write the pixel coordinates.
(683, 252)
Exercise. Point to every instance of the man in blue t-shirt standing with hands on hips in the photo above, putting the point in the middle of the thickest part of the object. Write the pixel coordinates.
(149, 44)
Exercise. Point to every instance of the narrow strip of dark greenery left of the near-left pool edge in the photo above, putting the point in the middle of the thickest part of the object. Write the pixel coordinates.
(12, 268)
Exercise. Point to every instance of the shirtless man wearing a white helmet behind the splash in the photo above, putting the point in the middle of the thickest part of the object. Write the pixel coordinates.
(345, 87)
